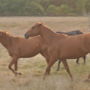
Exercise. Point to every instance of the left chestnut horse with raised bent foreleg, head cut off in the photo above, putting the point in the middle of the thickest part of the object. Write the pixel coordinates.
(19, 47)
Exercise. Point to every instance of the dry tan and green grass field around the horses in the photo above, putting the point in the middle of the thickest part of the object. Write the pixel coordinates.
(34, 68)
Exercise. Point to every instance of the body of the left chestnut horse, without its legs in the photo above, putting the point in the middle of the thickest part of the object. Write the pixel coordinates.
(21, 47)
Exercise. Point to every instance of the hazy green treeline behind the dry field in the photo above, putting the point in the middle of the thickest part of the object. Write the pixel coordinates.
(44, 7)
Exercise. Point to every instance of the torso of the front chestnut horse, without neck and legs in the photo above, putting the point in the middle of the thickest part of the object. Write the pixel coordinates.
(68, 47)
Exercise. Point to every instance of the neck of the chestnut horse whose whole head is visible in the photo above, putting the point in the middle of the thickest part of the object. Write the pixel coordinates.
(47, 35)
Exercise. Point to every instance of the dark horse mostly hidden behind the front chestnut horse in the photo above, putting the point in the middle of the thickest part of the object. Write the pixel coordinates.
(75, 32)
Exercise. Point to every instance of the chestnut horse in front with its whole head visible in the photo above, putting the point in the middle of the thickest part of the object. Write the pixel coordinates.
(69, 47)
